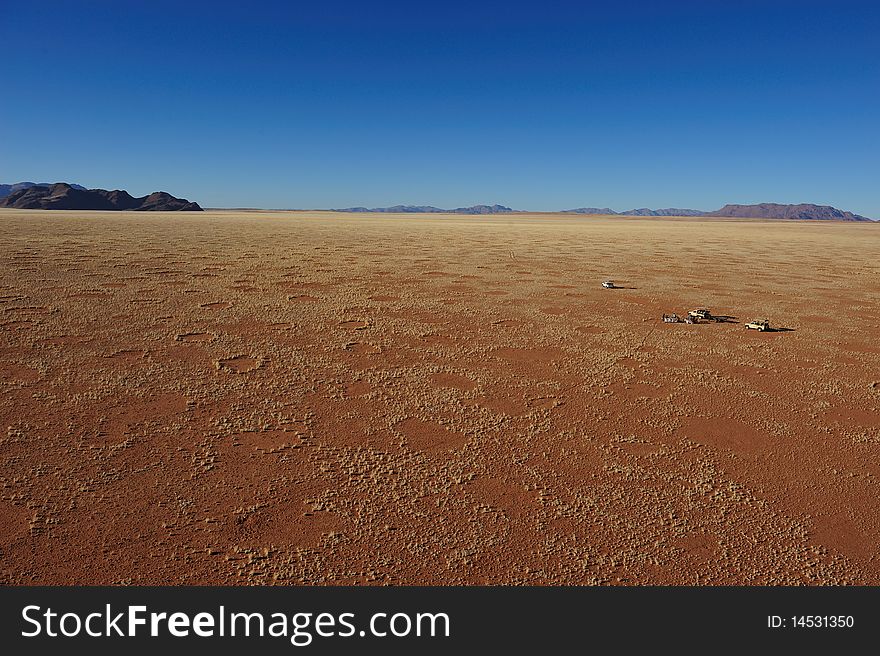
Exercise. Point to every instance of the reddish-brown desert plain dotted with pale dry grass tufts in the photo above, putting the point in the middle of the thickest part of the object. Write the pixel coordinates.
(321, 398)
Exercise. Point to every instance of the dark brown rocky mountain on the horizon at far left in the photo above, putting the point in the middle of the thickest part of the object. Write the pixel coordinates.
(62, 196)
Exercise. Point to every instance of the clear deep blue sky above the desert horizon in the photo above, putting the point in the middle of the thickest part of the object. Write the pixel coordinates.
(540, 105)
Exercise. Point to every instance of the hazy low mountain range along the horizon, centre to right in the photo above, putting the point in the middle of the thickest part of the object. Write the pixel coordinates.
(804, 211)
